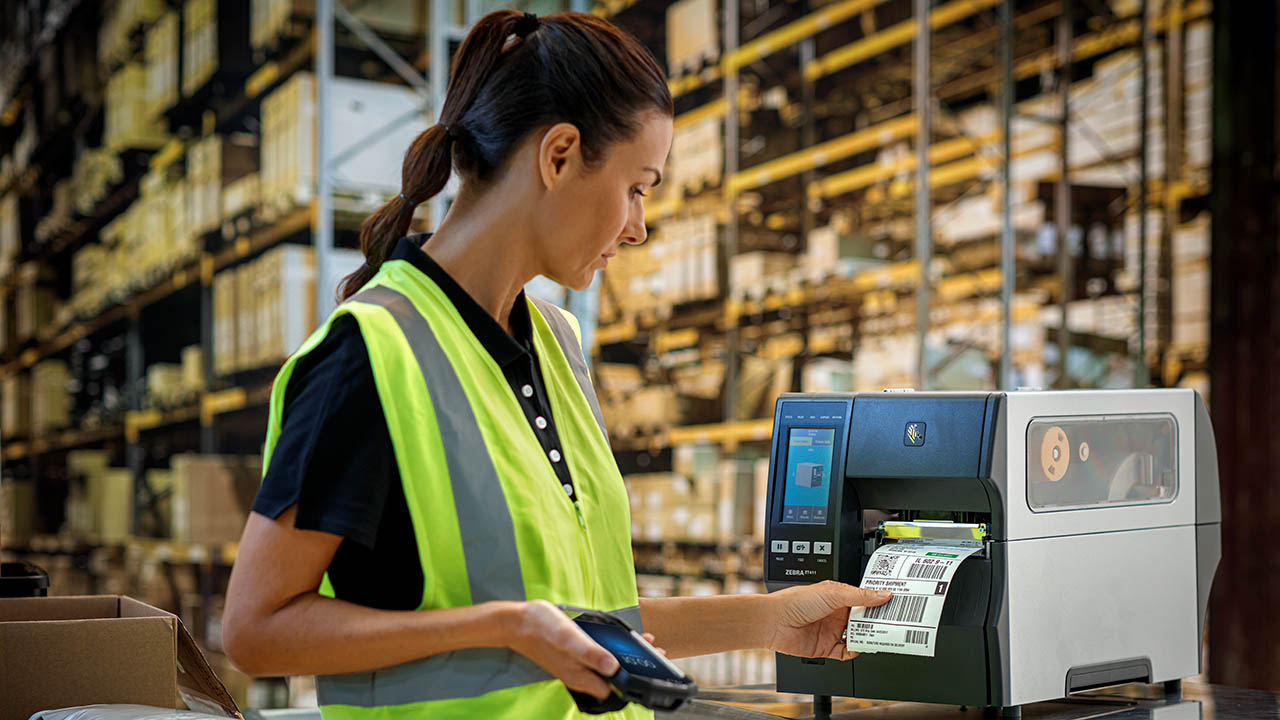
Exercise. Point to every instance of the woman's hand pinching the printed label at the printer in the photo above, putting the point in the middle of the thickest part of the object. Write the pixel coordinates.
(811, 621)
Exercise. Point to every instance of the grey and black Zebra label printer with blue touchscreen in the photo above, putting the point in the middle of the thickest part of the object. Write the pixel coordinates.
(1096, 514)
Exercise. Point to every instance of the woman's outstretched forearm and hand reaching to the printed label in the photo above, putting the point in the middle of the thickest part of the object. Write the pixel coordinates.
(804, 621)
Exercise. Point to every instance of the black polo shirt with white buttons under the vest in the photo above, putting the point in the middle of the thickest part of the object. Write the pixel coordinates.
(335, 457)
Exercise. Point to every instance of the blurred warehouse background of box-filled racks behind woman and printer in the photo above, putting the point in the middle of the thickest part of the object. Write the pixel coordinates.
(1060, 194)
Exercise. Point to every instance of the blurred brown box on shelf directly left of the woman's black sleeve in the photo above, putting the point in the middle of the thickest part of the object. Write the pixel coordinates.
(212, 496)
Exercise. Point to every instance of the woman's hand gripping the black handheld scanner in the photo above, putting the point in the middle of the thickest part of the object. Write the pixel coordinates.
(546, 635)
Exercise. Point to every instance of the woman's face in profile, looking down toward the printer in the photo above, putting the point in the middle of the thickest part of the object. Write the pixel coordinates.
(593, 212)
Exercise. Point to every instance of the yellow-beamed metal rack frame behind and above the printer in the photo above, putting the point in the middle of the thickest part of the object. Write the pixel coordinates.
(956, 160)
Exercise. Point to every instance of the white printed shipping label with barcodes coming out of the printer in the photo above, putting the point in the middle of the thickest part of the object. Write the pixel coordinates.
(920, 577)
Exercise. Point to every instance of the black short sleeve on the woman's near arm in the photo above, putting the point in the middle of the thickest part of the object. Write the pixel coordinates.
(335, 457)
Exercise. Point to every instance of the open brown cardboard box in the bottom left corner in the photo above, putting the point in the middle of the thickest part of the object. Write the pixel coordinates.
(70, 651)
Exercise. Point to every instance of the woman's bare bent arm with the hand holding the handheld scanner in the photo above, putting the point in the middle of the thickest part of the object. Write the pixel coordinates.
(277, 623)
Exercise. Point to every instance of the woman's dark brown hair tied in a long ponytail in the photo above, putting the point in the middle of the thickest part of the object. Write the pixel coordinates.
(569, 67)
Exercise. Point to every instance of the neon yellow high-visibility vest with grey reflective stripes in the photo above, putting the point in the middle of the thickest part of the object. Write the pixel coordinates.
(491, 517)
